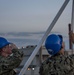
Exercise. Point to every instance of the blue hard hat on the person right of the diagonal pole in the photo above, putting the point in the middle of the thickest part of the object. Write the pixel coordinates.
(53, 43)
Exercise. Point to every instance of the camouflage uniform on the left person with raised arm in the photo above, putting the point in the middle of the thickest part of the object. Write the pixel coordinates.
(7, 64)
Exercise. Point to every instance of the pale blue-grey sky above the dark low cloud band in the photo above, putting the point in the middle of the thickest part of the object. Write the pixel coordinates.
(33, 15)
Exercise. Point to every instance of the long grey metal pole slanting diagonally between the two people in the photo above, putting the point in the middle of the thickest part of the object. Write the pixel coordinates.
(43, 38)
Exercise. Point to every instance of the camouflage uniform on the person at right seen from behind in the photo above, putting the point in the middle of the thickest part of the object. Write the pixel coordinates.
(57, 65)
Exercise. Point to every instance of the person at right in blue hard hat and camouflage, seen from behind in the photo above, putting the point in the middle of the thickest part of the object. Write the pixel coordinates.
(58, 63)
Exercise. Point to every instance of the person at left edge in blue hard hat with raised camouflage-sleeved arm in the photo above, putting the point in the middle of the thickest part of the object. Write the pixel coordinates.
(10, 57)
